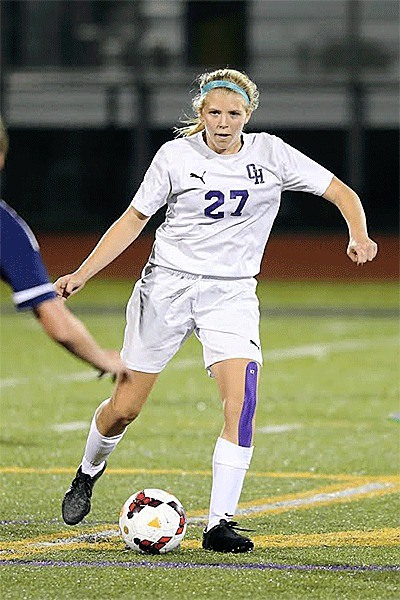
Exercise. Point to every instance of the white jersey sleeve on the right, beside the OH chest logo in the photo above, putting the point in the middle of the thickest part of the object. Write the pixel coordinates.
(300, 173)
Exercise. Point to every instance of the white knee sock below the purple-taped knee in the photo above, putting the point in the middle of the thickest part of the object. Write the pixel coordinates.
(230, 463)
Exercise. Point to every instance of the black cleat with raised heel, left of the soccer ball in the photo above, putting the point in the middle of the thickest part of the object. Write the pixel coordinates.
(76, 503)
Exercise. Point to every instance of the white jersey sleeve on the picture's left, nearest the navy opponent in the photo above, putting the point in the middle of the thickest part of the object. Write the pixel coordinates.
(156, 185)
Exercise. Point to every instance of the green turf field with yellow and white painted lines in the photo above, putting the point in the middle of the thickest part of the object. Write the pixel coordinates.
(322, 491)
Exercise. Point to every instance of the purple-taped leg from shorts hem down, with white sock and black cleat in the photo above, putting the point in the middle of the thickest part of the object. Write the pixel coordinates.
(237, 381)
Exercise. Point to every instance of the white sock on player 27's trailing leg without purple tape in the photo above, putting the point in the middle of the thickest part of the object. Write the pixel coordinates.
(98, 447)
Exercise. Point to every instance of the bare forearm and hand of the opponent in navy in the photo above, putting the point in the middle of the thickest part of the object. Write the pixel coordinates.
(66, 329)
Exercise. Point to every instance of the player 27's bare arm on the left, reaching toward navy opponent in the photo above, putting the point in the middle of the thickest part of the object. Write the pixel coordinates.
(116, 239)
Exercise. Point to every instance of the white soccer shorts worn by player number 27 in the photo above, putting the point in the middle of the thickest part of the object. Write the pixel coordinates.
(166, 306)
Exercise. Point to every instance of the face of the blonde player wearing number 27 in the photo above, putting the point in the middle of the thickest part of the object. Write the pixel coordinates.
(224, 115)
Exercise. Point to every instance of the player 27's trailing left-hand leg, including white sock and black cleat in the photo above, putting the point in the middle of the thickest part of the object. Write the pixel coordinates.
(107, 429)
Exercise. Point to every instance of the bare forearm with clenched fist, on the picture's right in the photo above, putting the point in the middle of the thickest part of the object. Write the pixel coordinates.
(360, 248)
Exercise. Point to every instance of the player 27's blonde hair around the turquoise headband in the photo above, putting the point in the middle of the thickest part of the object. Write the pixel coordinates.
(194, 125)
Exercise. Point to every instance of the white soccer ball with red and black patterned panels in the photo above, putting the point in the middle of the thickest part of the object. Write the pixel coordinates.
(152, 521)
